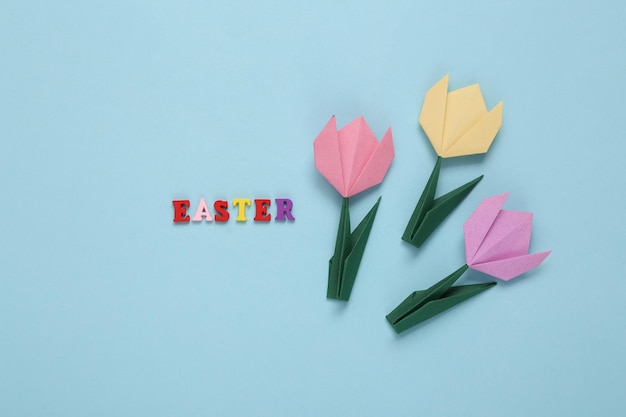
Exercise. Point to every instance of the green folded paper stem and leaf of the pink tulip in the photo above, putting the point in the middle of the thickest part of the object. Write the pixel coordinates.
(349, 249)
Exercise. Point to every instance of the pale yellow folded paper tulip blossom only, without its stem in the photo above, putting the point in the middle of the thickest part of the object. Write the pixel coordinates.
(458, 123)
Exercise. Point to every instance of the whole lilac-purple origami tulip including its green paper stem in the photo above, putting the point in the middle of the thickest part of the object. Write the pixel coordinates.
(496, 242)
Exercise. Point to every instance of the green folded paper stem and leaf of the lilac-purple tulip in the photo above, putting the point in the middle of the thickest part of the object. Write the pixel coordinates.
(422, 305)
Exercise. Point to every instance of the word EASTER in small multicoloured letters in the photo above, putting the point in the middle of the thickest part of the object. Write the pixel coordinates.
(283, 210)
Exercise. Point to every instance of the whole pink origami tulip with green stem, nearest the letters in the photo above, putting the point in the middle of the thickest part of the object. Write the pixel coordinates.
(352, 160)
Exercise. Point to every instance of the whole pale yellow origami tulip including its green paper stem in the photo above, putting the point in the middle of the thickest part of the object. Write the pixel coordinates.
(456, 124)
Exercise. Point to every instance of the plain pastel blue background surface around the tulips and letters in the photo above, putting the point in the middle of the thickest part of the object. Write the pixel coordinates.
(110, 111)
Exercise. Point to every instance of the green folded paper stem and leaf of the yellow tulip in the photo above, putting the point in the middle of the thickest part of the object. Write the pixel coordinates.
(429, 212)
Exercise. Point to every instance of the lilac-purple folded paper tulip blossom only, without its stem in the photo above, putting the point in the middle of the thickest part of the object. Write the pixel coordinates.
(497, 241)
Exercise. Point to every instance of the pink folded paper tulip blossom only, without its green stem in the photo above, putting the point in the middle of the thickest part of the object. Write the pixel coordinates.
(352, 159)
